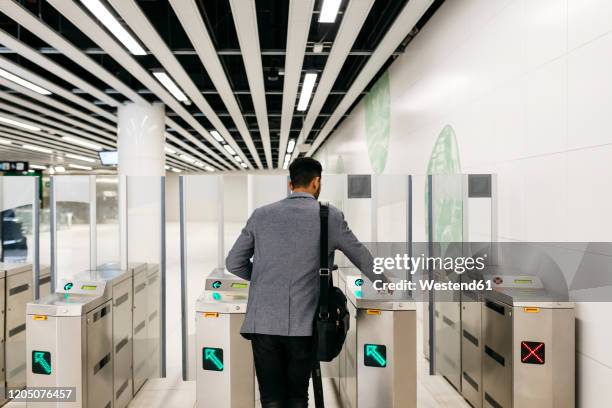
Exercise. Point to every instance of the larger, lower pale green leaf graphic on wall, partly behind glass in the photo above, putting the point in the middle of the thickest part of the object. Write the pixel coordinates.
(447, 208)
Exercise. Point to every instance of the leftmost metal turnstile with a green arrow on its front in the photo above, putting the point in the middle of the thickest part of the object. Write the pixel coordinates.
(69, 344)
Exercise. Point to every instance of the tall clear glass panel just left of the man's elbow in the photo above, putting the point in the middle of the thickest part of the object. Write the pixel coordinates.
(203, 211)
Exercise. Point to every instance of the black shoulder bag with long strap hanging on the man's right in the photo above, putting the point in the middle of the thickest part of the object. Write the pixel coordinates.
(332, 319)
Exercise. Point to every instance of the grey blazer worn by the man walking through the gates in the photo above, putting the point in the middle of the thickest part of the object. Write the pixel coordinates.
(283, 239)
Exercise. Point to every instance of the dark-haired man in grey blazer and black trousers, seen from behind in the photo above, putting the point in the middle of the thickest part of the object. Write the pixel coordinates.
(278, 251)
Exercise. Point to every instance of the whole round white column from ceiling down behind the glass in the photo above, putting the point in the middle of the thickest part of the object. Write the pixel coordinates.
(140, 143)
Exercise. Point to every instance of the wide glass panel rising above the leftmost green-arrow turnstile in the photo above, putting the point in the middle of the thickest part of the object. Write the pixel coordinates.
(72, 225)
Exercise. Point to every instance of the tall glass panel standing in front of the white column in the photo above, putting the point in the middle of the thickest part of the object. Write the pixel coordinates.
(146, 245)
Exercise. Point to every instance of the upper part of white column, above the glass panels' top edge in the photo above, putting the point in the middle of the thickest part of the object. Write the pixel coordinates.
(141, 140)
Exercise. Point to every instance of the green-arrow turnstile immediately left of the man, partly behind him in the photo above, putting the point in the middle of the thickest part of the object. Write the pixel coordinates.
(225, 374)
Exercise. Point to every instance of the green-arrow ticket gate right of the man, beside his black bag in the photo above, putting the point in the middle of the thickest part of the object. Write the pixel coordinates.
(377, 366)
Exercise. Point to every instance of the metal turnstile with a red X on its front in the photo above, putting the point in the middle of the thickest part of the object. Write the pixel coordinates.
(529, 346)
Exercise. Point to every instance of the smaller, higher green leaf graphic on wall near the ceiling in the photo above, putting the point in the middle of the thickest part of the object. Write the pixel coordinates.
(377, 112)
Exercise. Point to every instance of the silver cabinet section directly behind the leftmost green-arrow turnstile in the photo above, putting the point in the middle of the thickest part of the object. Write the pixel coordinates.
(119, 283)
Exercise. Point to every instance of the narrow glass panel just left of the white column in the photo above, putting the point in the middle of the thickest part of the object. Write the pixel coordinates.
(107, 220)
